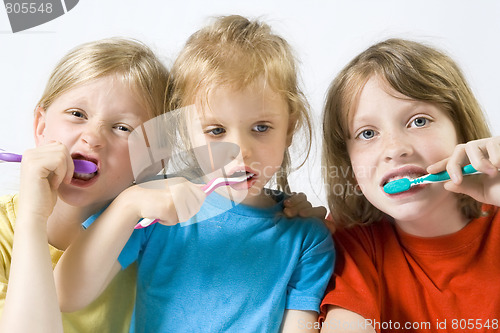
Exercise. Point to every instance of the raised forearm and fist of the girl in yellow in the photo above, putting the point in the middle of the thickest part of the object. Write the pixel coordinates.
(42, 171)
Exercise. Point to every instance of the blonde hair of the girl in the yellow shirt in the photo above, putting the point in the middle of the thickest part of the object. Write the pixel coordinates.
(132, 61)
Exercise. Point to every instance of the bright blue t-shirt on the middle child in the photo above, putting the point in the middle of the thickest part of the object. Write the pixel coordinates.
(234, 272)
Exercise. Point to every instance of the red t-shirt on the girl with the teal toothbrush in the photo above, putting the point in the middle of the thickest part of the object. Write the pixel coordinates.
(412, 284)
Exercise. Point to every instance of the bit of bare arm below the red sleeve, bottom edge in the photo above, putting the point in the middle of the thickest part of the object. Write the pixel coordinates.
(339, 320)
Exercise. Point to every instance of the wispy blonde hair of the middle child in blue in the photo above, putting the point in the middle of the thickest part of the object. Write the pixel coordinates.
(236, 52)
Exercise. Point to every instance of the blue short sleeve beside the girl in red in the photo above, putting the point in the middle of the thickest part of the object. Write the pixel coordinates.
(310, 278)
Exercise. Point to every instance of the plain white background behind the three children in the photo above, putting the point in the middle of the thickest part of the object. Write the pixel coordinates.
(325, 35)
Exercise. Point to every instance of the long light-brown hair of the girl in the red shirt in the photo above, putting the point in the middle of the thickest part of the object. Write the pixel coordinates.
(414, 70)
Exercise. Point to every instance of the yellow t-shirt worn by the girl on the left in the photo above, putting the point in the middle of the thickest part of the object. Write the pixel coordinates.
(111, 312)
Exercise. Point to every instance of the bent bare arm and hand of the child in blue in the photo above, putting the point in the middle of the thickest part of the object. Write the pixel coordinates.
(91, 262)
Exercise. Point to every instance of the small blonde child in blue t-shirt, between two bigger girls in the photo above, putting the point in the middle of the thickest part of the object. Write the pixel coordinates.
(232, 267)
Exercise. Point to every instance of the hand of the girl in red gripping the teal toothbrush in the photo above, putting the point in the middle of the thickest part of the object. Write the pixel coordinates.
(484, 156)
